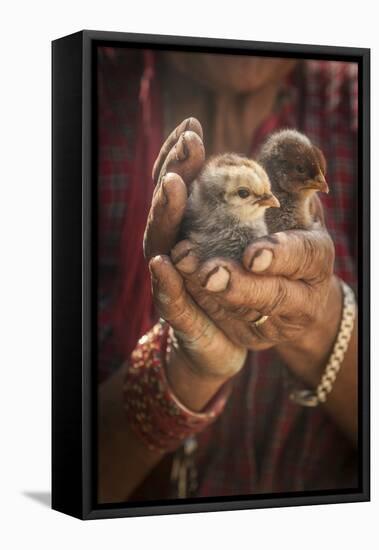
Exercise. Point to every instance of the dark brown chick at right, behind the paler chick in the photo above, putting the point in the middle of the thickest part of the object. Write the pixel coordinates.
(296, 169)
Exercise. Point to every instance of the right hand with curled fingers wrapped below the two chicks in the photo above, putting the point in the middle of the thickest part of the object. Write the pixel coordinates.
(285, 276)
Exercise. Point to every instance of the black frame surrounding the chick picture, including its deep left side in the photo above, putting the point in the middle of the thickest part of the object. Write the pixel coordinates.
(74, 275)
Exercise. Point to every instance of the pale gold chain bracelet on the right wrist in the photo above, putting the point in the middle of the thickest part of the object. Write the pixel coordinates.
(309, 398)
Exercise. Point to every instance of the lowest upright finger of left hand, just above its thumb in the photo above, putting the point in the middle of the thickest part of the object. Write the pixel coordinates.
(165, 216)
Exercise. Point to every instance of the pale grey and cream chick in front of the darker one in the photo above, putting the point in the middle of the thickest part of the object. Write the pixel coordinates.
(226, 207)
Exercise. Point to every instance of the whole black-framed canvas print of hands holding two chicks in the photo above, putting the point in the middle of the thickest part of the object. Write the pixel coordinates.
(210, 274)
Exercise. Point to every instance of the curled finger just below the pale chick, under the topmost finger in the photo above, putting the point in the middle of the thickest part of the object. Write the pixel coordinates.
(269, 295)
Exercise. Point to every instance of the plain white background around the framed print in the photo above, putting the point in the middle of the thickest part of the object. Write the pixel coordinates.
(26, 31)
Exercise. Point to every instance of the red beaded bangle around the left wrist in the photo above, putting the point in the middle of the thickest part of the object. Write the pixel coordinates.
(154, 413)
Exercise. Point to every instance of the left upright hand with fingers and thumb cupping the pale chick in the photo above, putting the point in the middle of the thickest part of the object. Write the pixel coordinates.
(200, 342)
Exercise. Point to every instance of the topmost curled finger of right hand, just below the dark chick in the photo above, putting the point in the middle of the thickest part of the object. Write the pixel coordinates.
(307, 255)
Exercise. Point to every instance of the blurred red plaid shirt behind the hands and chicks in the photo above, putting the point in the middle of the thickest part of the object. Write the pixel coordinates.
(262, 442)
